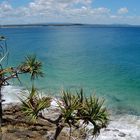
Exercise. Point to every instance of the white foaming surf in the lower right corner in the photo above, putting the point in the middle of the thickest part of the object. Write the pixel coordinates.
(126, 127)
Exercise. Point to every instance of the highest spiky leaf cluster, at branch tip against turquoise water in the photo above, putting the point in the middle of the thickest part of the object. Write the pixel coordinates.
(33, 66)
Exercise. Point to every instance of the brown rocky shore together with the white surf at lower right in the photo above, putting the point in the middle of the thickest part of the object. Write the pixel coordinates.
(16, 127)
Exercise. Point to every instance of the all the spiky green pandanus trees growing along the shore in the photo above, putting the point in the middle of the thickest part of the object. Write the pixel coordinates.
(74, 110)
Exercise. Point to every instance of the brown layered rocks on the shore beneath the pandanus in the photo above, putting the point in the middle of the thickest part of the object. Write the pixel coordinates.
(16, 127)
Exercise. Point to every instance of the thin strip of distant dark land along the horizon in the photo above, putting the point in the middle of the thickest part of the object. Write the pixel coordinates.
(65, 24)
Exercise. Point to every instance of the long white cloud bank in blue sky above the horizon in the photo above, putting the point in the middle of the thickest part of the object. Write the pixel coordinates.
(75, 11)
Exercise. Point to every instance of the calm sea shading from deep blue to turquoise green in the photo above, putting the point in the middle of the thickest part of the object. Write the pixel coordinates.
(102, 60)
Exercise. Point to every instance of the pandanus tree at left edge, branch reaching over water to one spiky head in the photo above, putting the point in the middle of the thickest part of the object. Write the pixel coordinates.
(31, 66)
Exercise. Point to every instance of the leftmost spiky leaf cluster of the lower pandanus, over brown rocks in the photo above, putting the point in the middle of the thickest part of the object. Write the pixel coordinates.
(33, 104)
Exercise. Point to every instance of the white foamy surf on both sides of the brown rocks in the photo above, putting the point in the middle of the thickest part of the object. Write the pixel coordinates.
(117, 128)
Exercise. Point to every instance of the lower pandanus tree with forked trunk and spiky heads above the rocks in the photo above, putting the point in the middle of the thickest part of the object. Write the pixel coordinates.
(75, 108)
